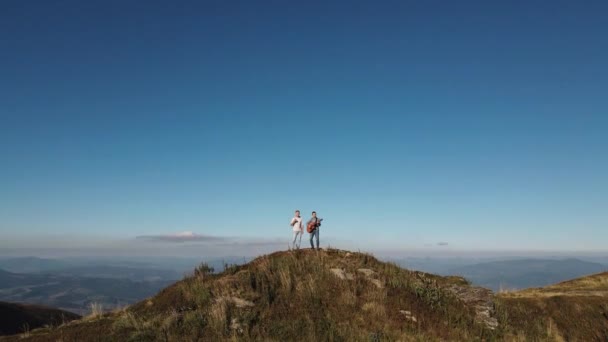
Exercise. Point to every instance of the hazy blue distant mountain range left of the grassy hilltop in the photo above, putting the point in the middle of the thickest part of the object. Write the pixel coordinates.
(74, 284)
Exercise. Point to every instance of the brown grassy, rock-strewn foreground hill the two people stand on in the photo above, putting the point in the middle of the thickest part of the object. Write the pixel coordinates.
(334, 295)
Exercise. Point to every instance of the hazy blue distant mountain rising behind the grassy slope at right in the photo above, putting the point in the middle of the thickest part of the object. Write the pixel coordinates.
(525, 273)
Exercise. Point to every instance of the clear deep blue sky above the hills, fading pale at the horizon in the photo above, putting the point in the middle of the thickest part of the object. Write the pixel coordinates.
(481, 124)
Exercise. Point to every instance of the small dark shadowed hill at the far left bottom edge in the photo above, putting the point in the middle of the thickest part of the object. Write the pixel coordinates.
(18, 318)
